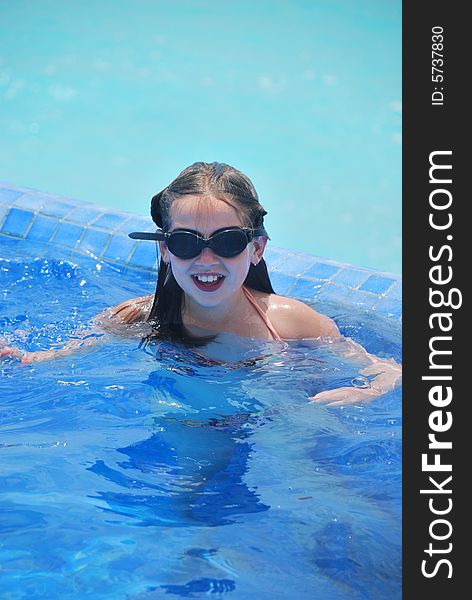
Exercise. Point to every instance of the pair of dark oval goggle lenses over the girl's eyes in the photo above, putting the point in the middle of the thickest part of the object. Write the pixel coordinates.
(189, 245)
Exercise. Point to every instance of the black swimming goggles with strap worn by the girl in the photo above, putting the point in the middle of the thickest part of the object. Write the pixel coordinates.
(186, 243)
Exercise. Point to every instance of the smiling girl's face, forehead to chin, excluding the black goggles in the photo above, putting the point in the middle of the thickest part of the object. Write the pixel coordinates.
(224, 276)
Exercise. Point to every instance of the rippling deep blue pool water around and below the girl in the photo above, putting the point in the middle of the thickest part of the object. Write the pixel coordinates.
(144, 472)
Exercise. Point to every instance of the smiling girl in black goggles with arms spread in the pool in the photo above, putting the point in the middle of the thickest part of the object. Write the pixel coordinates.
(213, 280)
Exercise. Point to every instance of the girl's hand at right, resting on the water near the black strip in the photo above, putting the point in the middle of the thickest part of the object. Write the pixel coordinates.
(387, 376)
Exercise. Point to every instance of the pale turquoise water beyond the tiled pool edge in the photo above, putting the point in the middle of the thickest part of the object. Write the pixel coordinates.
(108, 100)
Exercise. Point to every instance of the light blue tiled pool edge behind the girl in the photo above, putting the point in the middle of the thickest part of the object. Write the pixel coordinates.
(85, 228)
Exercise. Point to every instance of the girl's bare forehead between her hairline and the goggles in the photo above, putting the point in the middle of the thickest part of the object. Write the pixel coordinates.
(204, 214)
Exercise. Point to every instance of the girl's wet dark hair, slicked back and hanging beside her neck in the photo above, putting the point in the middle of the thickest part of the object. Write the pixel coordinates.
(214, 180)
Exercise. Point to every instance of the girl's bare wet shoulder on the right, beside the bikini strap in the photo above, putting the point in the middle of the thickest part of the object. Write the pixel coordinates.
(293, 319)
